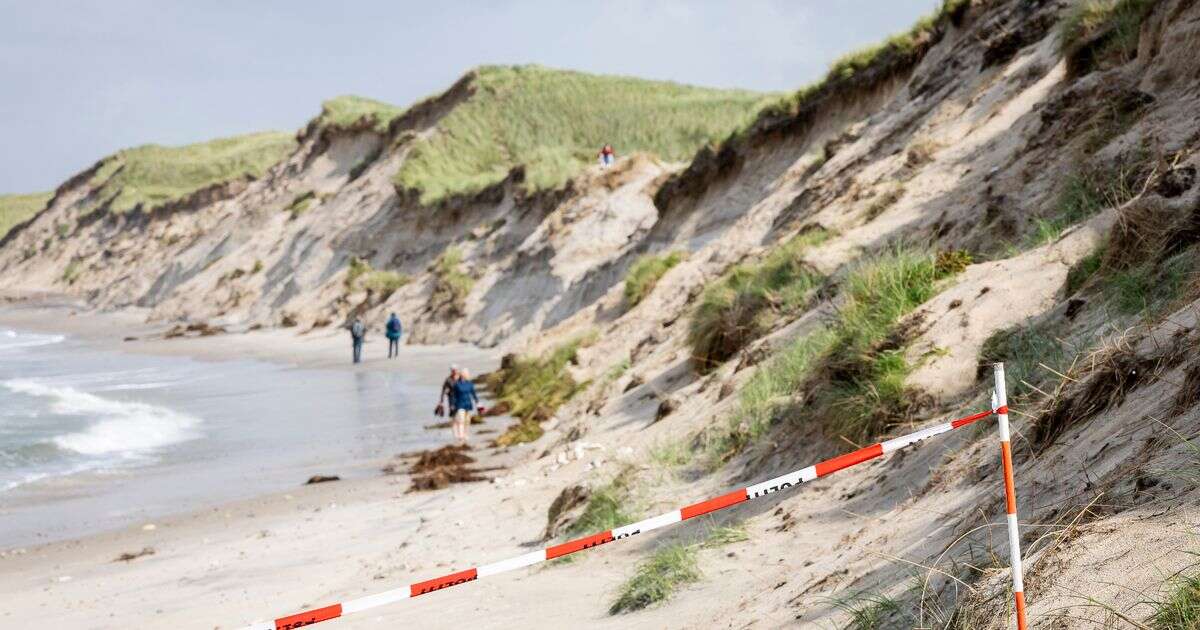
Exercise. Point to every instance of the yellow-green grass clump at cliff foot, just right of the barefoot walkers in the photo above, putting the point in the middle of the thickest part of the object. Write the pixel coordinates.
(535, 388)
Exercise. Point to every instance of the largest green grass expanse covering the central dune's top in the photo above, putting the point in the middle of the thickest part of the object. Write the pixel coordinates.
(551, 123)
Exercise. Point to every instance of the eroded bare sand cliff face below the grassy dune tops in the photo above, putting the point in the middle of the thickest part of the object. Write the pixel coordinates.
(968, 143)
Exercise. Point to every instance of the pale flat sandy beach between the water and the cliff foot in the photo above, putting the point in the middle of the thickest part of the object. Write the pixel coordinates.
(254, 560)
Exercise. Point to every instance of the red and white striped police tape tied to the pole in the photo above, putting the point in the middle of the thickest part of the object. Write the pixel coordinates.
(641, 527)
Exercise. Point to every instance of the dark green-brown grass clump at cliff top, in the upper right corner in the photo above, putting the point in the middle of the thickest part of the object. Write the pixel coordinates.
(1102, 32)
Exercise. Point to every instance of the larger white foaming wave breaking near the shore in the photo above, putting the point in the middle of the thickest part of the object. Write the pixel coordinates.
(119, 428)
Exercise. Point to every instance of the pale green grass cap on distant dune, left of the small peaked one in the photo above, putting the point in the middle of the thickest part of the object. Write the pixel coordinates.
(152, 176)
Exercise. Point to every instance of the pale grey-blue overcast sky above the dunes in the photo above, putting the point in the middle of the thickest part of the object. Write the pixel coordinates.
(81, 80)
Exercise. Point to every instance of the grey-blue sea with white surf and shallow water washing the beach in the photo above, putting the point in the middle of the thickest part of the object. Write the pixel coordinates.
(94, 440)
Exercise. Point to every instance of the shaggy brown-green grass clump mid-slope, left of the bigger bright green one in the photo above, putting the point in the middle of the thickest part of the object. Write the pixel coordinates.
(751, 299)
